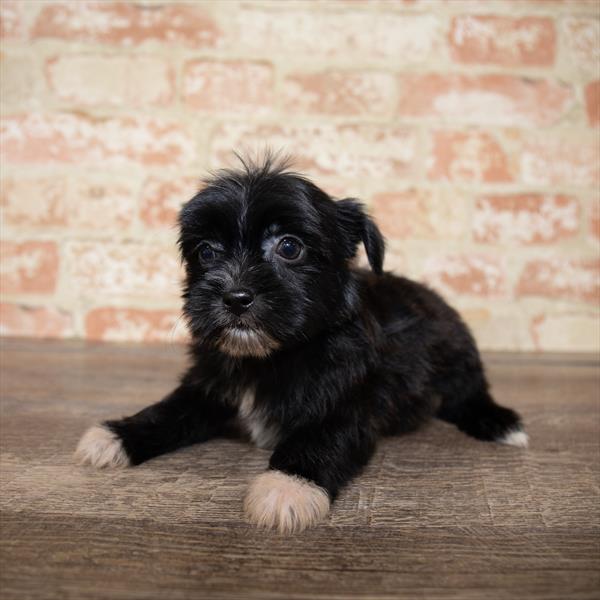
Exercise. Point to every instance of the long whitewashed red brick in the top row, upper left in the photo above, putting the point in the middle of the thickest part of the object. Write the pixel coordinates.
(127, 23)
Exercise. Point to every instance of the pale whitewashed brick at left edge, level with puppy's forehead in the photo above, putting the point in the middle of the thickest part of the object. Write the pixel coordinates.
(86, 202)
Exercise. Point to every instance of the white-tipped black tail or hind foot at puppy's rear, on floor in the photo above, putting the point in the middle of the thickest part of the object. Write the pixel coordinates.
(480, 417)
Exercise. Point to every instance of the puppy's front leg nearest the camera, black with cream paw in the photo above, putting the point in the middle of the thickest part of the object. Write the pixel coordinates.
(305, 474)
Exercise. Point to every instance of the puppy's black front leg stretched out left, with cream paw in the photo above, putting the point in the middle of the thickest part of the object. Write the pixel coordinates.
(184, 417)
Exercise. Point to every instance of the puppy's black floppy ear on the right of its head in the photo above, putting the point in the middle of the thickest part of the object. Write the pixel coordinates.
(356, 226)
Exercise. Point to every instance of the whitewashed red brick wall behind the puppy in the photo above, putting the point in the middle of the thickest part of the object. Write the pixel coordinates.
(470, 128)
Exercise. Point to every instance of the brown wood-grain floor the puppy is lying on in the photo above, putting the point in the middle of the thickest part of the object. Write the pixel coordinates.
(435, 515)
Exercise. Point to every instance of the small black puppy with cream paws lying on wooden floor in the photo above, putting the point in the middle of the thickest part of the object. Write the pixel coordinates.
(314, 358)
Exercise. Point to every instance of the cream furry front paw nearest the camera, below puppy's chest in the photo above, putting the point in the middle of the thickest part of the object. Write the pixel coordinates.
(284, 502)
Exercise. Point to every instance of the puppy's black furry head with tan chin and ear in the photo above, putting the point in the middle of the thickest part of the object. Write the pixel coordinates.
(267, 259)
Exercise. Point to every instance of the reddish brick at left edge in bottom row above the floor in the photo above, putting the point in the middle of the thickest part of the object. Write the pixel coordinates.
(34, 321)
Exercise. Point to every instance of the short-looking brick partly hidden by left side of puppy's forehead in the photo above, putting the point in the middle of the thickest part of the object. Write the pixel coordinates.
(162, 199)
